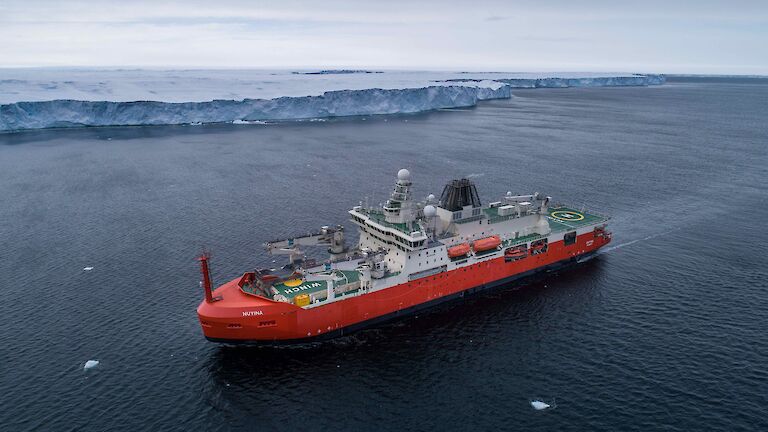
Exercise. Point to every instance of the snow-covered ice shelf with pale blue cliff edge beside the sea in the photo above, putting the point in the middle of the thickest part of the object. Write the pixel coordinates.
(45, 98)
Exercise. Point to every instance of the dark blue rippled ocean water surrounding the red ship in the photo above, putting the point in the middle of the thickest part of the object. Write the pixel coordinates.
(667, 329)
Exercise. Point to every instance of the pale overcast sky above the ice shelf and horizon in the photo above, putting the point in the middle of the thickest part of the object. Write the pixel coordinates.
(705, 37)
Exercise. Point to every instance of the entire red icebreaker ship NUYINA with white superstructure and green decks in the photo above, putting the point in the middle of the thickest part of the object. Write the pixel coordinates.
(410, 255)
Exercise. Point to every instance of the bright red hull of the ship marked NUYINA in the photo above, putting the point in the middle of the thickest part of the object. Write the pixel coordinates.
(241, 318)
